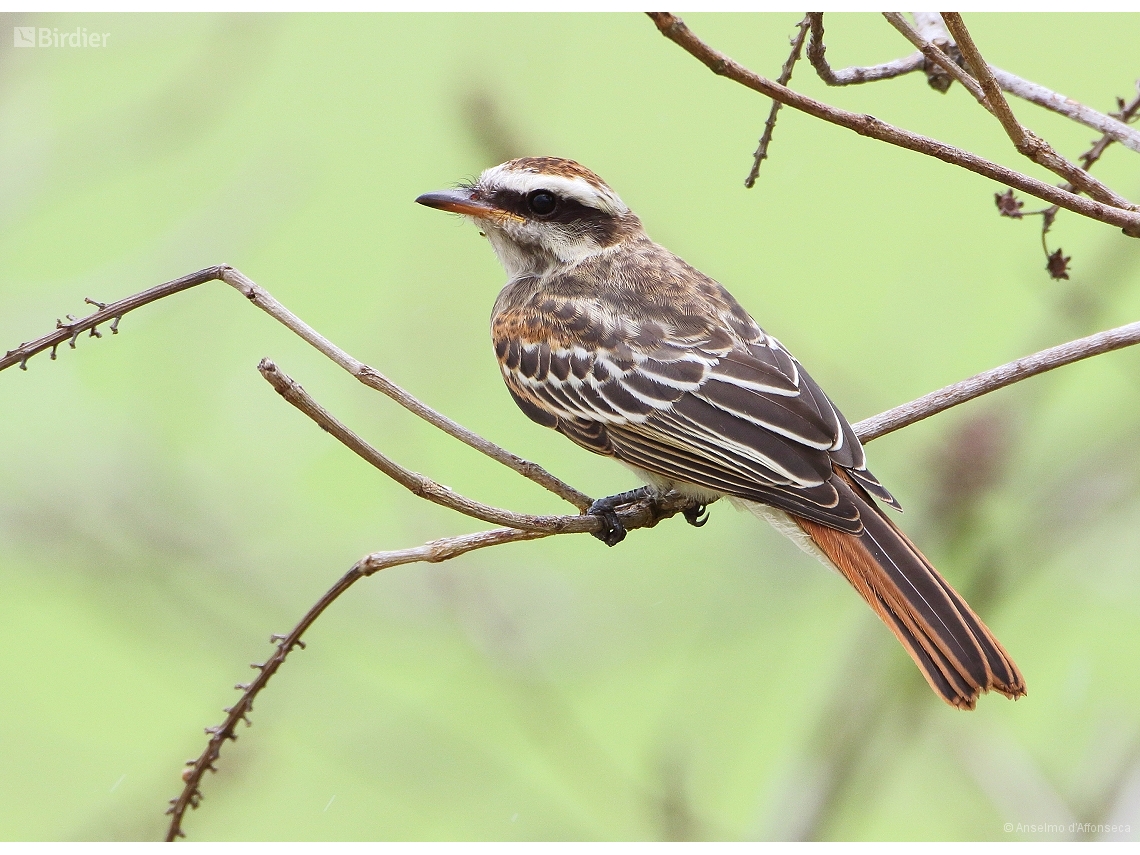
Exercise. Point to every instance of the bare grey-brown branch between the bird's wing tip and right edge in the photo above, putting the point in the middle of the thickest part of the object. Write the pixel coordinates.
(995, 379)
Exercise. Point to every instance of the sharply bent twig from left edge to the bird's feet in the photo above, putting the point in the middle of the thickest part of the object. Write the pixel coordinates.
(264, 300)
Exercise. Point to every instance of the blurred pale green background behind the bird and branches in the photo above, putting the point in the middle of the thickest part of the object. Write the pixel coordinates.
(162, 511)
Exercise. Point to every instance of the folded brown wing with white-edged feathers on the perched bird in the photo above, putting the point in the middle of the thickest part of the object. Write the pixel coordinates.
(732, 417)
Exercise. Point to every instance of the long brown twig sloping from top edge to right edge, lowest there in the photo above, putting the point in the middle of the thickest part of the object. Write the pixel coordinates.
(677, 31)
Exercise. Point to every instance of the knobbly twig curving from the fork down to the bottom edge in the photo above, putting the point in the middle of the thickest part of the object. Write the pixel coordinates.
(433, 552)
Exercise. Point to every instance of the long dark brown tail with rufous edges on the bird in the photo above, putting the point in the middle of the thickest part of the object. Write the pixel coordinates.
(951, 646)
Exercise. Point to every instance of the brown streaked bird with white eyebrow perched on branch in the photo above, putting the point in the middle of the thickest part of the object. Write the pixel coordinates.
(615, 343)
